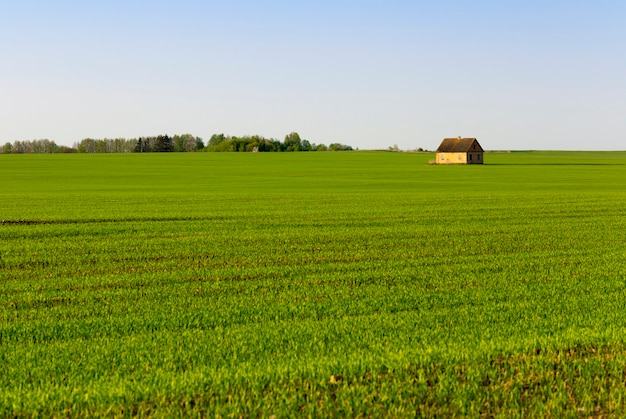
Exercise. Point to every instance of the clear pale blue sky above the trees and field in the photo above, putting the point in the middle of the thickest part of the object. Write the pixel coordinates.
(521, 74)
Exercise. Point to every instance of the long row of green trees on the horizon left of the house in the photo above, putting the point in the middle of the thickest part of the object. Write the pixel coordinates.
(177, 143)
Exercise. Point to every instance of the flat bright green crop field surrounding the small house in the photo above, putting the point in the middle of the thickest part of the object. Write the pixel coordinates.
(312, 284)
